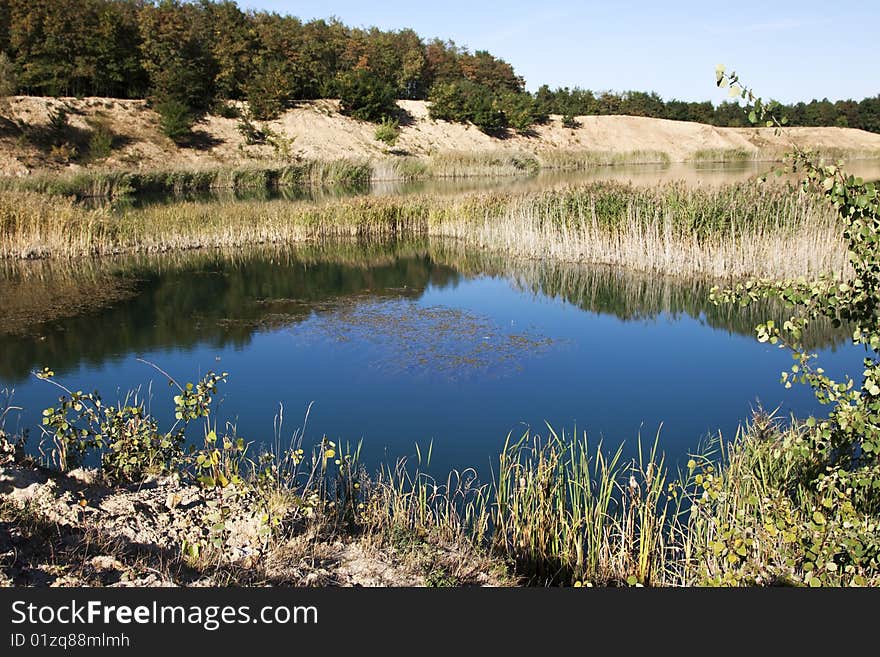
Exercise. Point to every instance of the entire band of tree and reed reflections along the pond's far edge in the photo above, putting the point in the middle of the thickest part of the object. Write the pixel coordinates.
(61, 314)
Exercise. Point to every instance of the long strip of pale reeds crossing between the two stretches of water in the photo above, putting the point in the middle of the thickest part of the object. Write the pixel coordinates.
(735, 231)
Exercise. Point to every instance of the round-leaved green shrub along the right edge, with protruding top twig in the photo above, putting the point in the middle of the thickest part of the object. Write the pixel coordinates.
(838, 458)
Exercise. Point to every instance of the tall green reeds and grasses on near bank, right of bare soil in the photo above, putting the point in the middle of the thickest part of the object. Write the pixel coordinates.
(563, 513)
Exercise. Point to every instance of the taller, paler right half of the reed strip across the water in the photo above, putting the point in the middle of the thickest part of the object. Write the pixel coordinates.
(731, 232)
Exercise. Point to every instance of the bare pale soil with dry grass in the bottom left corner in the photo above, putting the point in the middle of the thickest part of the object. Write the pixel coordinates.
(73, 529)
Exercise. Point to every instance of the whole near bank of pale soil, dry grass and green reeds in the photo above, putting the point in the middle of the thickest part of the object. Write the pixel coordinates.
(556, 512)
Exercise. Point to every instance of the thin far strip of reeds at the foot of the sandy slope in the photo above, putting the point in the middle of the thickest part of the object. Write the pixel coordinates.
(273, 175)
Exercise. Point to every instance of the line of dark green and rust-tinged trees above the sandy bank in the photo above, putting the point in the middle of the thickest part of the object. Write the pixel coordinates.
(189, 58)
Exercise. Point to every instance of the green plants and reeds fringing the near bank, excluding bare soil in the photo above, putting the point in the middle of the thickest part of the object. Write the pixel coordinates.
(556, 510)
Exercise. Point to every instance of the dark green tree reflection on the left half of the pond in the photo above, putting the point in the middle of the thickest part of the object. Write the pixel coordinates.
(212, 298)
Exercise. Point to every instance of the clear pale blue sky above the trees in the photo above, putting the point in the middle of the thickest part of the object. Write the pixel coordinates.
(787, 50)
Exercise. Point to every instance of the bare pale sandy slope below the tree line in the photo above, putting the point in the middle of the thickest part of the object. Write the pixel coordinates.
(316, 129)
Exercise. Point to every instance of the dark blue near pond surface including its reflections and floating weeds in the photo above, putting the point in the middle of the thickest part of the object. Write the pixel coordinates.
(398, 345)
